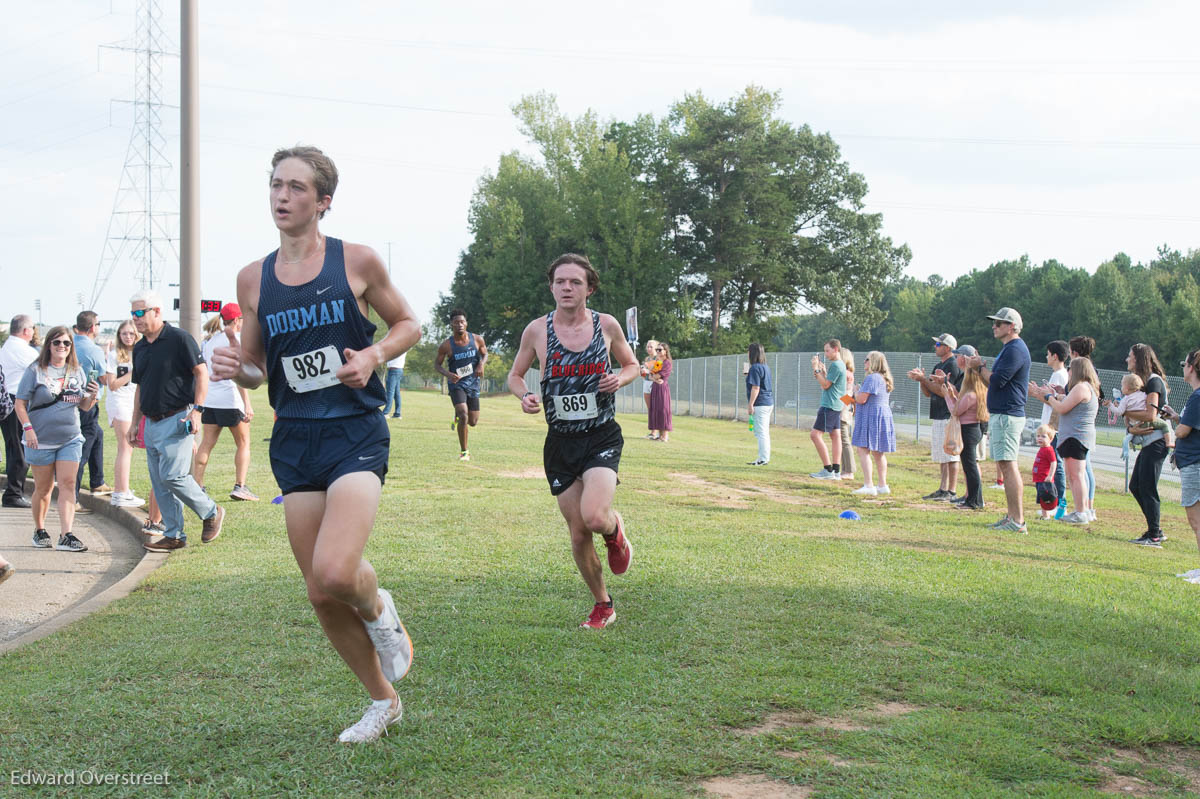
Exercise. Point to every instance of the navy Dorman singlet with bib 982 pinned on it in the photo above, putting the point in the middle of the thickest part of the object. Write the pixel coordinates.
(305, 329)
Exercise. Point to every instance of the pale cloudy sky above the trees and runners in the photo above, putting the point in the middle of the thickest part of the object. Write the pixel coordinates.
(986, 130)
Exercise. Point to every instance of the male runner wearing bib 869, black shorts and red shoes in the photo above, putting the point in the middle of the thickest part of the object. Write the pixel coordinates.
(584, 444)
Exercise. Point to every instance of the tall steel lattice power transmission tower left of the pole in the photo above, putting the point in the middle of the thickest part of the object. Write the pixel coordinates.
(143, 231)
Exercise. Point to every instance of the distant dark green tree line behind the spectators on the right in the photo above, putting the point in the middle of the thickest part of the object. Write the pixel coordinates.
(1119, 305)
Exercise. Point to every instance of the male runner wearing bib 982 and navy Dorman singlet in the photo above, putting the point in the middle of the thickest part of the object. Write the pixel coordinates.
(307, 333)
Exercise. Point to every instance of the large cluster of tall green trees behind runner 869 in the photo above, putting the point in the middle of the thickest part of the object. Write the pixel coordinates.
(712, 220)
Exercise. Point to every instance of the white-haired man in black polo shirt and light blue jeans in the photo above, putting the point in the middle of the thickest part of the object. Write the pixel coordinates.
(173, 382)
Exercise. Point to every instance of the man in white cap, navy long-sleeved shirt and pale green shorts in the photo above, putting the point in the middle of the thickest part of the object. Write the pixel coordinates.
(1007, 393)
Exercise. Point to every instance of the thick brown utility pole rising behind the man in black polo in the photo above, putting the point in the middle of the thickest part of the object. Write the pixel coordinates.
(189, 193)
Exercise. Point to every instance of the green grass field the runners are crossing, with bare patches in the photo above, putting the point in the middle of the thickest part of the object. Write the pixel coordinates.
(911, 654)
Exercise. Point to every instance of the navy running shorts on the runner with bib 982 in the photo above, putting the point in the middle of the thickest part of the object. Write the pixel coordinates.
(311, 454)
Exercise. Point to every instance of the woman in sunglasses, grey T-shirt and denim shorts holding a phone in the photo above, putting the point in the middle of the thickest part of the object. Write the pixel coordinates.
(50, 399)
